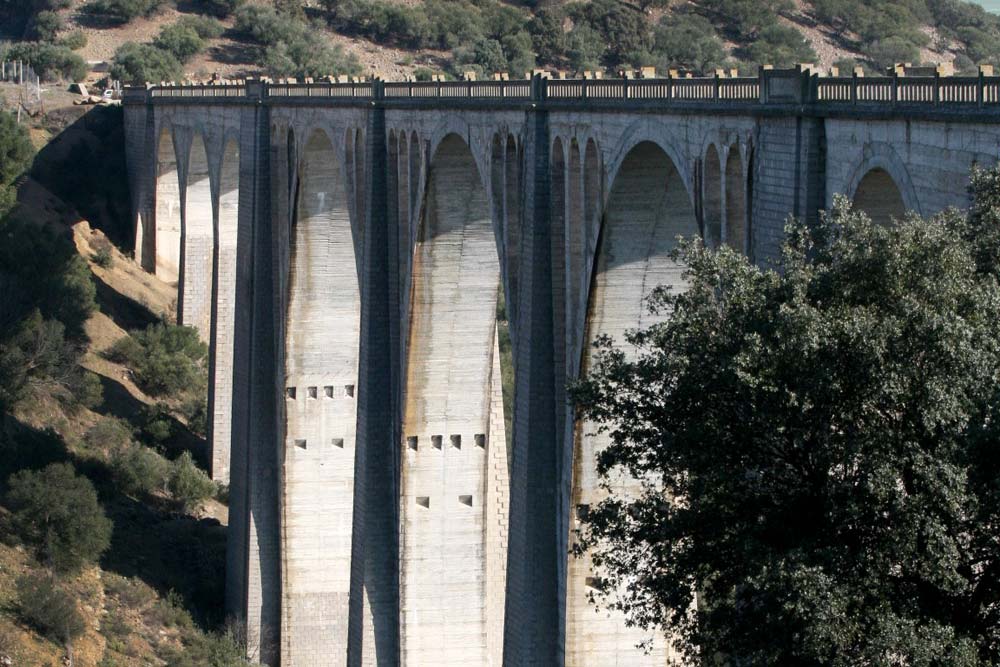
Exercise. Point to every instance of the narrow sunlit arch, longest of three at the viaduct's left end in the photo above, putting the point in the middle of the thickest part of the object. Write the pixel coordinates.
(224, 319)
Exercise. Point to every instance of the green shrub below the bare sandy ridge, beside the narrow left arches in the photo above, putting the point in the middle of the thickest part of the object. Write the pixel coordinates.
(166, 359)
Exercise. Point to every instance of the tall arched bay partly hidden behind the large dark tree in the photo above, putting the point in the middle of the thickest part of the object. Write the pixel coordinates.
(648, 207)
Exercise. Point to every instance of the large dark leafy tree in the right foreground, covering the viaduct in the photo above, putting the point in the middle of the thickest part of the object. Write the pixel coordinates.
(817, 448)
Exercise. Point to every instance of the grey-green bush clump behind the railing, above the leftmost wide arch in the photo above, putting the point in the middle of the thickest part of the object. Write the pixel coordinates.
(289, 47)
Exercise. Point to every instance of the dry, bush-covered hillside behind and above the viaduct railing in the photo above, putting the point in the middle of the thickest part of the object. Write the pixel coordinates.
(196, 39)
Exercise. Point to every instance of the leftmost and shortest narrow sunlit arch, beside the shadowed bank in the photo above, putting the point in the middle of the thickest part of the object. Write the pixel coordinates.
(166, 241)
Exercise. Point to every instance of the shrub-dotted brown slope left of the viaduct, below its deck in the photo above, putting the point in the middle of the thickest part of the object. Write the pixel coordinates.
(94, 379)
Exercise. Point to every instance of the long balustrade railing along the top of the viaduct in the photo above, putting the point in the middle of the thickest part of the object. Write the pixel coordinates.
(797, 86)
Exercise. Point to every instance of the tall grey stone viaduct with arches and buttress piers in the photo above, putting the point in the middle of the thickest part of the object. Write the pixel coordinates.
(355, 253)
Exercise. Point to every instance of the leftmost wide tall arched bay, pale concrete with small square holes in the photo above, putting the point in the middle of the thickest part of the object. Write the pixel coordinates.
(322, 332)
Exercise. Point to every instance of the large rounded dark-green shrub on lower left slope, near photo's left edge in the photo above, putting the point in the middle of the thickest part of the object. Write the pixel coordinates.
(57, 512)
